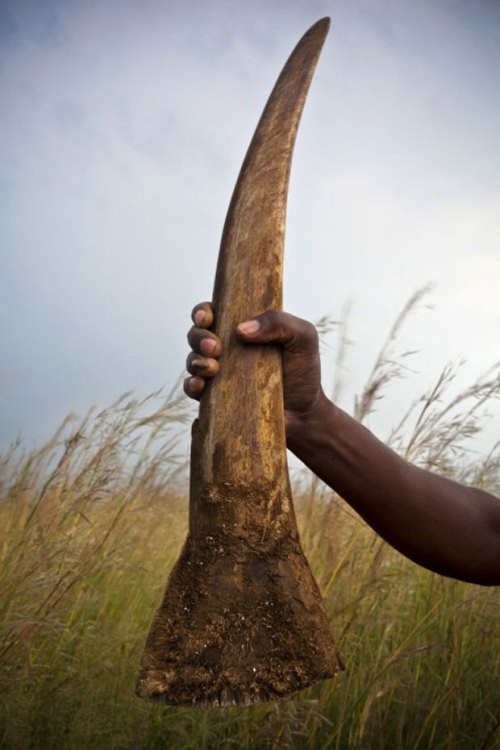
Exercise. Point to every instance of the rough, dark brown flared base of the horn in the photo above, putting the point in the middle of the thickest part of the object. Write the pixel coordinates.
(237, 626)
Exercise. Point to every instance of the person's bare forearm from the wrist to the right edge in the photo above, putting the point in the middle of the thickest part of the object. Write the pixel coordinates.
(444, 526)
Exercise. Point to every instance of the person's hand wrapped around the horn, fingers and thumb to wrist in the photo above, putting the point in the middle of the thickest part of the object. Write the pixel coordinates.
(300, 352)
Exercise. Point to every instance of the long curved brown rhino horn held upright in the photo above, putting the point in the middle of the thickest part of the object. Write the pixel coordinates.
(242, 619)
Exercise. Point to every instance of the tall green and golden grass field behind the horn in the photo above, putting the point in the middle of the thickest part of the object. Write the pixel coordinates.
(91, 523)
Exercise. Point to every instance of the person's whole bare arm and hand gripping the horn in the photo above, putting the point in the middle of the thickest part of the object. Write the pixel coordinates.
(444, 526)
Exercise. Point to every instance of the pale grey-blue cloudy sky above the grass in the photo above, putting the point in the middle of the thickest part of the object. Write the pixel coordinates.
(123, 128)
